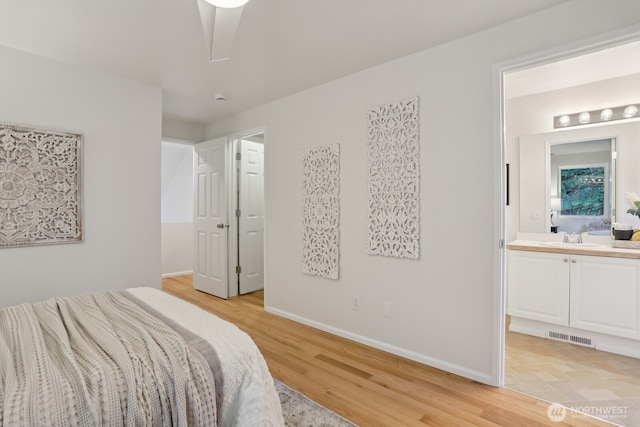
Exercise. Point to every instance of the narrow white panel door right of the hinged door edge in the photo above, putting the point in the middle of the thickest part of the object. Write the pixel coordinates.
(251, 220)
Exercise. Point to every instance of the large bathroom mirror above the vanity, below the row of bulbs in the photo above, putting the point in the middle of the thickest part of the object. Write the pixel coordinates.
(543, 157)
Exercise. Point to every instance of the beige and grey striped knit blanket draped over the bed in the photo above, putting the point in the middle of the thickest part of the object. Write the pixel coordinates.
(100, 359)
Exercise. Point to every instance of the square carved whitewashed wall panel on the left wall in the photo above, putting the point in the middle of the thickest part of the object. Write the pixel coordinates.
(40, 188)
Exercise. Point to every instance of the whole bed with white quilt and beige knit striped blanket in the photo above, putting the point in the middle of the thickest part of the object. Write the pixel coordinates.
(133, 357)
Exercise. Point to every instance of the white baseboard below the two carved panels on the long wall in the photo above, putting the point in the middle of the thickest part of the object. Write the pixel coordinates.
(408, 354)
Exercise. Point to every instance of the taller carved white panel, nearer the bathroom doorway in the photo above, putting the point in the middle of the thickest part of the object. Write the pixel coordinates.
(394, 179)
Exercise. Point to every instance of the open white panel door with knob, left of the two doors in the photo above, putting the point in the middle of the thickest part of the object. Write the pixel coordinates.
(210, 272)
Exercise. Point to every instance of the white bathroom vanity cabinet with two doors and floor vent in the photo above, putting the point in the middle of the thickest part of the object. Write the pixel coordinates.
(589, 299)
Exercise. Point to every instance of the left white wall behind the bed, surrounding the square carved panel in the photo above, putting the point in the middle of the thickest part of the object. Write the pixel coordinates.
(121, 123)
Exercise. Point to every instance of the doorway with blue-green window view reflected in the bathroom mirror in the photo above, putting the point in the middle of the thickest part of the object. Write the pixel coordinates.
(581, 189)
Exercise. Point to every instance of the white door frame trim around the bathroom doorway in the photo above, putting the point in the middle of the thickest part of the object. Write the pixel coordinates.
(581, 47)
